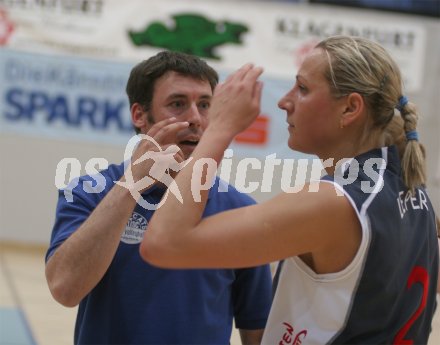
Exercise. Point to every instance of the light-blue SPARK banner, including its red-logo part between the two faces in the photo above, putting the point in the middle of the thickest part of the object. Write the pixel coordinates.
(83, 99)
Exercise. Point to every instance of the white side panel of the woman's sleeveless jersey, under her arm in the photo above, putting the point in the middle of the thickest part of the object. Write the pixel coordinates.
(307, 301)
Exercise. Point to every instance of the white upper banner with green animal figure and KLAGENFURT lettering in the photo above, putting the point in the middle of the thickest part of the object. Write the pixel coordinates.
(228, 34)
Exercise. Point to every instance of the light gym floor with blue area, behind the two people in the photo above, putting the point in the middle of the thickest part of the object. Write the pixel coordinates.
(29, 315)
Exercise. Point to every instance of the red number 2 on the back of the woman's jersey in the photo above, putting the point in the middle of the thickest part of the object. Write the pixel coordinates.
(418, 275)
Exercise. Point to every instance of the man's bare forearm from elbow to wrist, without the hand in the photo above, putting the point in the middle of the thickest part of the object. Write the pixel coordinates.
(82, 260)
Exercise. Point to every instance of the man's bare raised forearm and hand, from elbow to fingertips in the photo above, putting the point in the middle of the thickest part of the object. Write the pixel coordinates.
(82, 260)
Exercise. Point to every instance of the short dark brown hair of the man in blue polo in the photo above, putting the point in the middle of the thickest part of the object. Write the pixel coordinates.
(143, 76)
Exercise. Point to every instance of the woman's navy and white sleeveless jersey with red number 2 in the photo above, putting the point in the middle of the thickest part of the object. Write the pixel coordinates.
(383, 296)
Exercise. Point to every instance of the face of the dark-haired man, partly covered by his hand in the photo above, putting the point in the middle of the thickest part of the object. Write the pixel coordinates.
(186, 99)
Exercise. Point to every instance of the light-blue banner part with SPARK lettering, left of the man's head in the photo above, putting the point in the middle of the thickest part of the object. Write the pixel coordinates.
(73, 98)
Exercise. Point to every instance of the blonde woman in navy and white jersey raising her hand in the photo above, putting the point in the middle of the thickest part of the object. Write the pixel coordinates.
(359, 247)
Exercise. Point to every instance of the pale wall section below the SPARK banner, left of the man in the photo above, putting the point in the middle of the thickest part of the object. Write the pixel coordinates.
(28, 193)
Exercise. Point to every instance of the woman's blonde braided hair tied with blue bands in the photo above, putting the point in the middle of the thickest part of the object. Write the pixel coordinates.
(360, 65)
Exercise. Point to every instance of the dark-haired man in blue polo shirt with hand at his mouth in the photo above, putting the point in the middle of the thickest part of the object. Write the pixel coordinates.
(93, 259)
